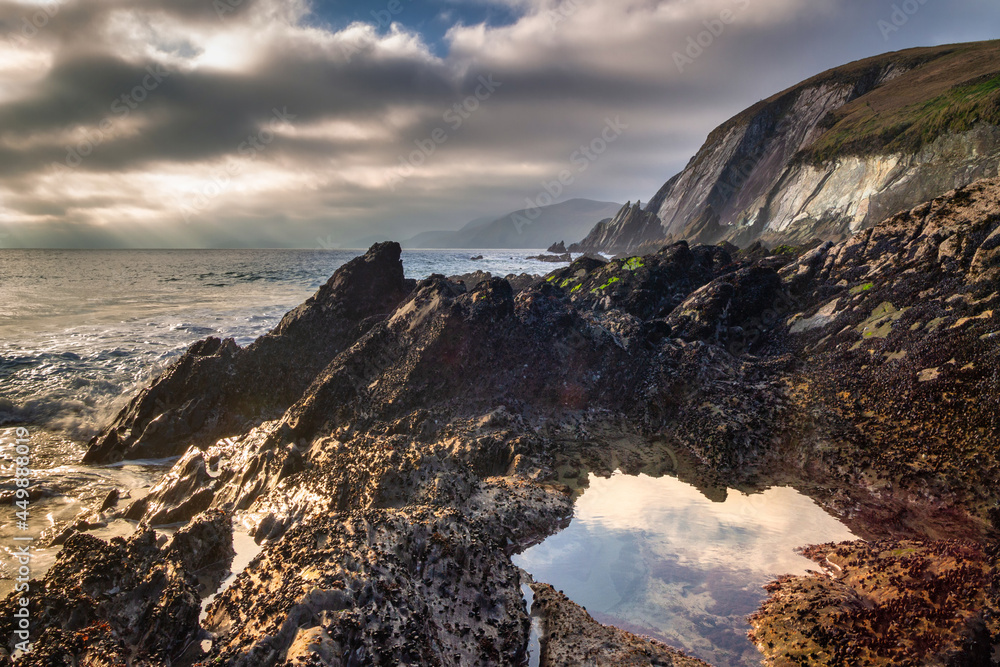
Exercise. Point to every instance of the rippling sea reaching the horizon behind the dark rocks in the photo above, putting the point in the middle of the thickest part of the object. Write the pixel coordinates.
(82, 330)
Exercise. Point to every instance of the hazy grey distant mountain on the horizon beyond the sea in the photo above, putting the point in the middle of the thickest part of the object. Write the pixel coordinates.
(527, 228)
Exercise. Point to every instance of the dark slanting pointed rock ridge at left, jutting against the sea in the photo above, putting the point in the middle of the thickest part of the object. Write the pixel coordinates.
(217, 389)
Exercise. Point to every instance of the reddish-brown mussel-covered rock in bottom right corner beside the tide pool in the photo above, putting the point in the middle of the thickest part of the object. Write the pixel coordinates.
(885, 603)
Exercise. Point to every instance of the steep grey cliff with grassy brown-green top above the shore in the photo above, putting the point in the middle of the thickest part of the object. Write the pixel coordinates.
(835, 154)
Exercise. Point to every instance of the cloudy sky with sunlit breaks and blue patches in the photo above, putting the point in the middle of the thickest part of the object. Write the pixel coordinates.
(288, 123)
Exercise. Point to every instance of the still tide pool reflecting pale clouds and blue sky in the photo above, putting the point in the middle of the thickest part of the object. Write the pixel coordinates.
(656, 557)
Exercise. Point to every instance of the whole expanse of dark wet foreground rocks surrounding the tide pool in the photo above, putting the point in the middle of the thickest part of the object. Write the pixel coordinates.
(392, 444)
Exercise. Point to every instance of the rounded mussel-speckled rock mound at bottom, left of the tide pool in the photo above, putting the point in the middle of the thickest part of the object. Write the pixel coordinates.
(413, 586)
